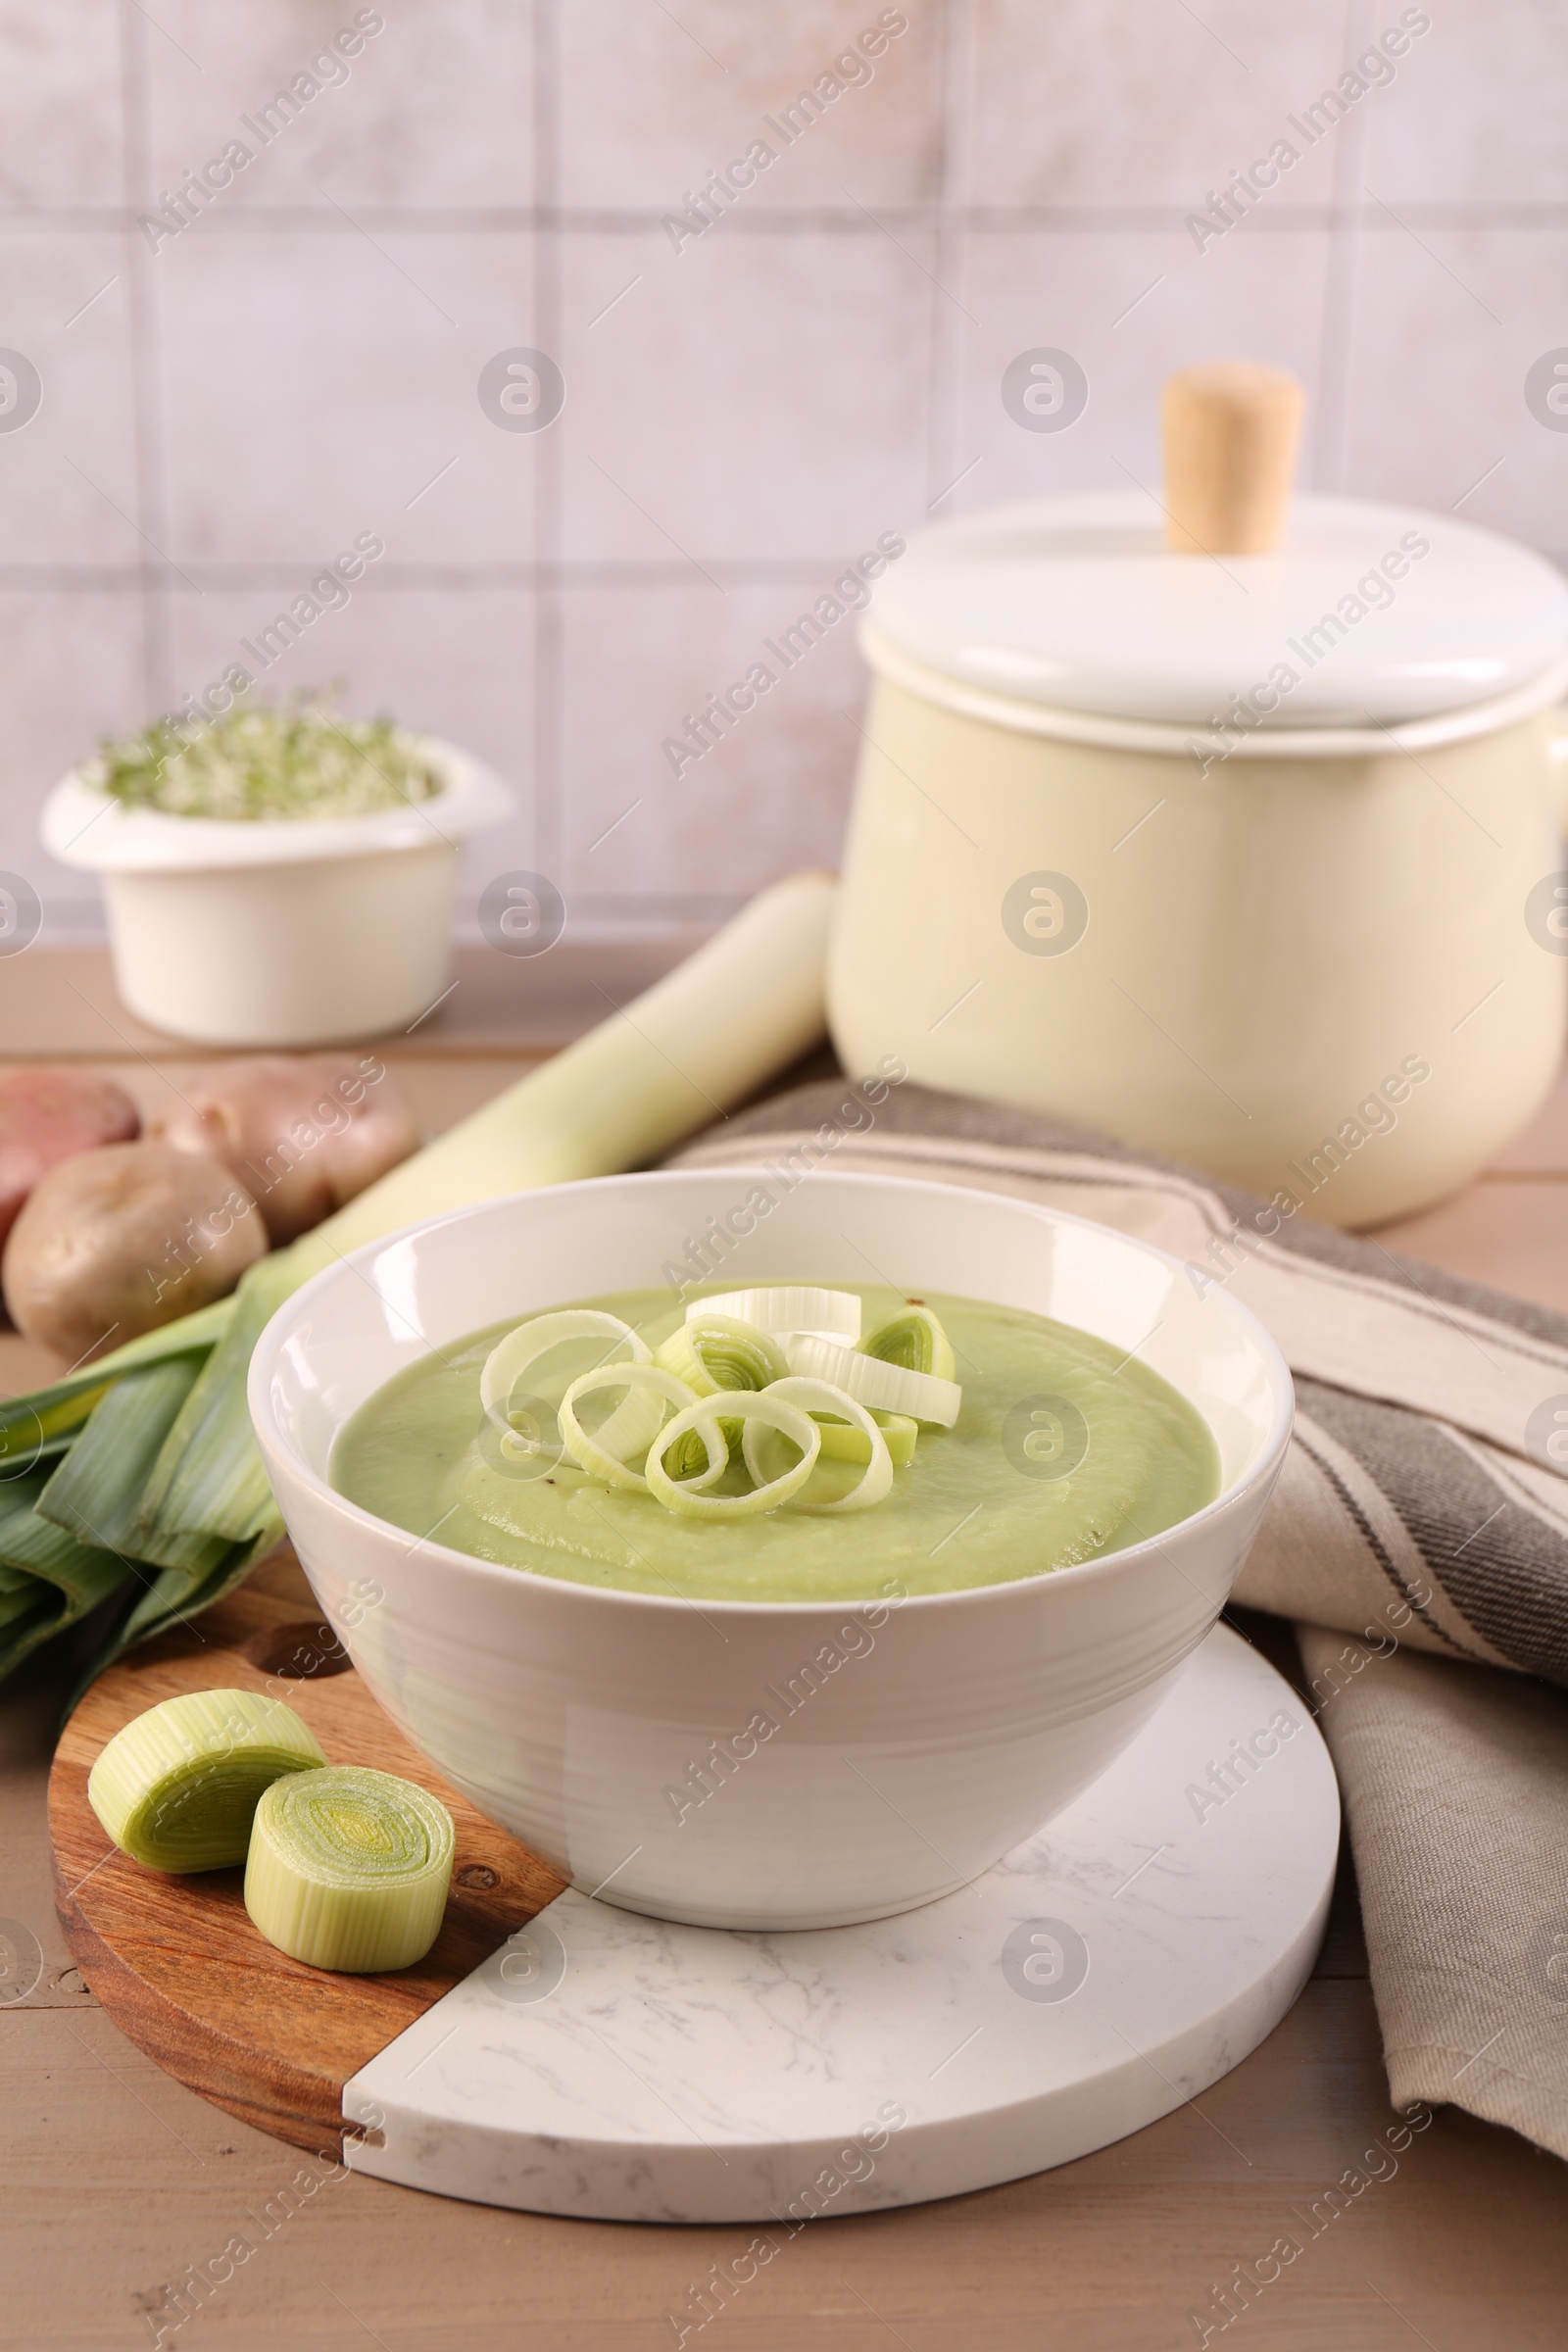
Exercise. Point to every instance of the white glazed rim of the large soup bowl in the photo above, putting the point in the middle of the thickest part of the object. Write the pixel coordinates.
(1106, 1565)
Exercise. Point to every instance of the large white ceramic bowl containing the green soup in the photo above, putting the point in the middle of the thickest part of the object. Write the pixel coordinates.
(951, 1728)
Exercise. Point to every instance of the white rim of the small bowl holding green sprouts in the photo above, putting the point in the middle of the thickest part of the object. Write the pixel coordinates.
(83, 827)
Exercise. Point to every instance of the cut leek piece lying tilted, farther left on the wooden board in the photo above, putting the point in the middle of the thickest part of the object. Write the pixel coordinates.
(177, 1786)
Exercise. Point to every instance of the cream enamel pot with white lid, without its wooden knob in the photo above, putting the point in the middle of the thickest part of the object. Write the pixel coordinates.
(1111, 862)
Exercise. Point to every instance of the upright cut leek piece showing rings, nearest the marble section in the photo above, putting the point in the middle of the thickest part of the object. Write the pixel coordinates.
(349, 1869)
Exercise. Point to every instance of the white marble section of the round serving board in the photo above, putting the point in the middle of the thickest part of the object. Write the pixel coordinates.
(1092, 1982)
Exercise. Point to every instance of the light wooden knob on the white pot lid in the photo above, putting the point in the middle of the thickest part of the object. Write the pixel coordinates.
(1231, 455)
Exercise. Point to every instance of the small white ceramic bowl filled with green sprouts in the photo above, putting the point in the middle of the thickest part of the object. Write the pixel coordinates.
(279, 933)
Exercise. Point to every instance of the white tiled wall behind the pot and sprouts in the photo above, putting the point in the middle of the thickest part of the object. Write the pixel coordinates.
(742, 413)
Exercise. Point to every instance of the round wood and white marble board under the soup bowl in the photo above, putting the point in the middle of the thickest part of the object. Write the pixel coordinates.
(626, 2069)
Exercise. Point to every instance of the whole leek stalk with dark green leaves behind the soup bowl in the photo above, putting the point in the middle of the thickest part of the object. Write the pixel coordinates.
(142, 1476)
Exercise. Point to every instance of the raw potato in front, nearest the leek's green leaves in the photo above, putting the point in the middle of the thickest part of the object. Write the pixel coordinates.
(121, 1241)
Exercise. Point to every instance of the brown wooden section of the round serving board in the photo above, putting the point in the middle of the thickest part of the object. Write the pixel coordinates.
(177, 1963)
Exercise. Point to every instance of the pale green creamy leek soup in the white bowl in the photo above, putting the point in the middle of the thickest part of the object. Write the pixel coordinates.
(1066, 1448)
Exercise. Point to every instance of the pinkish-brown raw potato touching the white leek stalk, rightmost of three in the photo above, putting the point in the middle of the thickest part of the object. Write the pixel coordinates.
(302, 1130)
